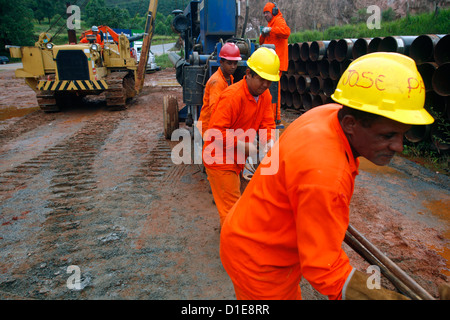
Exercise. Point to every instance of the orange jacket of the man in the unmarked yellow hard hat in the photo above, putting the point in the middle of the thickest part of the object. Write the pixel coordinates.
(237, 116)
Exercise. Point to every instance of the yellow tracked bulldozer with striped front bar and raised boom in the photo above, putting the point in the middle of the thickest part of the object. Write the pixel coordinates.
(66, 73)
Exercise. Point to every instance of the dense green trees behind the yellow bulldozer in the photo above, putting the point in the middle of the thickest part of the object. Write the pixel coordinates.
(23, 20)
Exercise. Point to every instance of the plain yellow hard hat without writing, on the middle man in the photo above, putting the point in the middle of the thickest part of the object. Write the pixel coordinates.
(265, 63)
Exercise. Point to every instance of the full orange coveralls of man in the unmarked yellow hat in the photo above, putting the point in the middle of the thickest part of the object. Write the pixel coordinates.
(236, 109)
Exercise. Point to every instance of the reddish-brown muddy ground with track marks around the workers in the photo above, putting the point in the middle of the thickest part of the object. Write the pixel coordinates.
(97, 191)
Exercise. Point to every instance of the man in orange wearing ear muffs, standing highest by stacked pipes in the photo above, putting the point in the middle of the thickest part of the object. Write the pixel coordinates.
(277, 33)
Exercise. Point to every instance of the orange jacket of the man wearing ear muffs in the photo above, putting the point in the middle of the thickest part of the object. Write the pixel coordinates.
(279, 37)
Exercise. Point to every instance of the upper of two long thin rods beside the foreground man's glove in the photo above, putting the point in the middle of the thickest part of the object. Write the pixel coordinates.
(399, 273)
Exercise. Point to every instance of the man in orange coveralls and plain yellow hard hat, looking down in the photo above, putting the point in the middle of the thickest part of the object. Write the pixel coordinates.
(244, 107)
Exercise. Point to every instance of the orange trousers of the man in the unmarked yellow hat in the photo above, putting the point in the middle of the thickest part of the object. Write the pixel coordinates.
(226, 189)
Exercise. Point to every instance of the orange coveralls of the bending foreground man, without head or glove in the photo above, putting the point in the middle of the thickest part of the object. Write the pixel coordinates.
(291, 224)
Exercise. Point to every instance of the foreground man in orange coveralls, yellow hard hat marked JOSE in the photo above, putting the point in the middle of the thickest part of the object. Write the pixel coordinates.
(291, 223)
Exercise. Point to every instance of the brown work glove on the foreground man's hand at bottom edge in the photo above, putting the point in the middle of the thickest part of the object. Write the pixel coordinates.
(357, 290)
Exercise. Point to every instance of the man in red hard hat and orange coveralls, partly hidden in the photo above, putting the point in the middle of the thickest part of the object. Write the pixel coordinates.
(229, 56)
